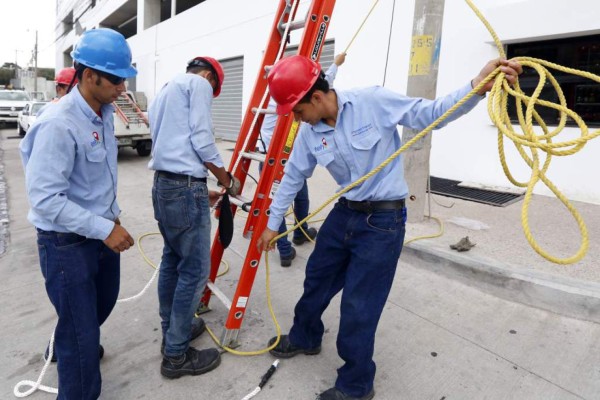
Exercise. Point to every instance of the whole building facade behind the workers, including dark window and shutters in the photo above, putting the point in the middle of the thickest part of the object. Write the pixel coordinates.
(165, 34)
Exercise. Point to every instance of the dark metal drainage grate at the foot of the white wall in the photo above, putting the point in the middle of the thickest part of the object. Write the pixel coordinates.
(450, 188)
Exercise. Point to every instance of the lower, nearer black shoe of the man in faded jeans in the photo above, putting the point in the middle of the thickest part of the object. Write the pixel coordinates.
(192, 362)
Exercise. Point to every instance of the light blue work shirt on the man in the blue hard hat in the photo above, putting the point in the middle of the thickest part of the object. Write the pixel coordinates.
(70, 160)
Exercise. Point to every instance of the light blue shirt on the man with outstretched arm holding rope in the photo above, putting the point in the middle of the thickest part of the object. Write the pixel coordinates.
(364, 136)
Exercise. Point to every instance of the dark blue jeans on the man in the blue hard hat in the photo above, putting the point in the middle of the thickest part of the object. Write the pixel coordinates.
(82, 281)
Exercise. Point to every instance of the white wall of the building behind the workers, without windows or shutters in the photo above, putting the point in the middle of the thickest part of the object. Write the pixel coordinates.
(465, 150)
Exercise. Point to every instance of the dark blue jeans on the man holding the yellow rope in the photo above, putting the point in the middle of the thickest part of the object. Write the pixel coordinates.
(356, 252)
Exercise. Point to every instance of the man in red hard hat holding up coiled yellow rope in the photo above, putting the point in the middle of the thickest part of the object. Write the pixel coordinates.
(357, 250)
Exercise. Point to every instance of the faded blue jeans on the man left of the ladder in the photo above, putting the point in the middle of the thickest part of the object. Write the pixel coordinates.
(183, 213)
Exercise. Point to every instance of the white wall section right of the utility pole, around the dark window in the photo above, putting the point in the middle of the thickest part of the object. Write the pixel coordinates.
(467, 149)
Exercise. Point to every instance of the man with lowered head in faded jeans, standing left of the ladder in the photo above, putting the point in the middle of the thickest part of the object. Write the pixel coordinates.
(183, 153)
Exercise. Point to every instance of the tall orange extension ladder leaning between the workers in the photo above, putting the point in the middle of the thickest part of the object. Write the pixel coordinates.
(311, 44)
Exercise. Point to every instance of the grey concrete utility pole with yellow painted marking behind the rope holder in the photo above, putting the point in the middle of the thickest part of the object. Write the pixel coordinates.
(422, 81)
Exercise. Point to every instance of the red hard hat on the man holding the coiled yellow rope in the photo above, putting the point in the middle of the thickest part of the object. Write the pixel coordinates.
(290, 79)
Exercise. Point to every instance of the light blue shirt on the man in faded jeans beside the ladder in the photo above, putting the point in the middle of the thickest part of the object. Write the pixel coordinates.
(181, 127)
